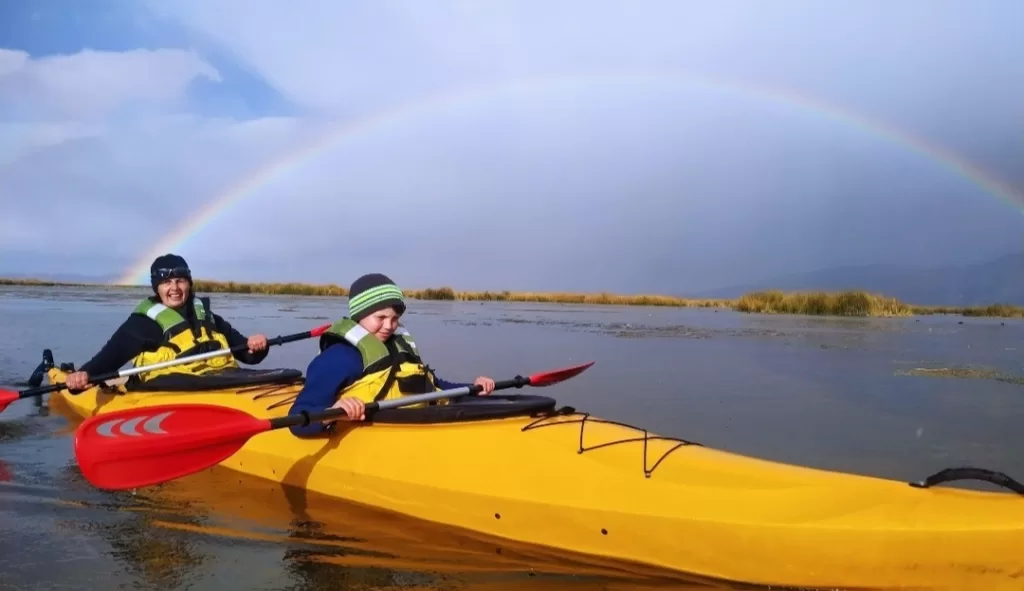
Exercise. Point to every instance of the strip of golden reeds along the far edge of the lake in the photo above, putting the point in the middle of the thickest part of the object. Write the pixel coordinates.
(843, 304)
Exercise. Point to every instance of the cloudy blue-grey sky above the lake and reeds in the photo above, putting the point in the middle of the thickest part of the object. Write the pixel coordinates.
(666, 147)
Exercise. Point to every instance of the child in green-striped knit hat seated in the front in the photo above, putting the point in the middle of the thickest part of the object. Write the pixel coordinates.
(367, 357)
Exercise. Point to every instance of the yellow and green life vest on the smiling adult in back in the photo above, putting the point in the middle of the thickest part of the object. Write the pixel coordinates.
(181, 341)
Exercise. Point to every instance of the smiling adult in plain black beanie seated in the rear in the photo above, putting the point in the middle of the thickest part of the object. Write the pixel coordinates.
(170, 325)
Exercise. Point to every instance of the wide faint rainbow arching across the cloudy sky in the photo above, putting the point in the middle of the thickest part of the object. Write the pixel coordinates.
(466, 96)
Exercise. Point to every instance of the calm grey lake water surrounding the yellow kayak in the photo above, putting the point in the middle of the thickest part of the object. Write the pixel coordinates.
(836, 394)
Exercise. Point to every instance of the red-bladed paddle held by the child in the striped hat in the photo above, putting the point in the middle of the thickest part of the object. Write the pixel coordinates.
(149, 446)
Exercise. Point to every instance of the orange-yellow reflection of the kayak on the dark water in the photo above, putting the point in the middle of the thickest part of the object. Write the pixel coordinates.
(331, 544)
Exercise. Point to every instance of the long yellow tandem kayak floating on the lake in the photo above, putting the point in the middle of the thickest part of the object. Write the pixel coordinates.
(521, 469)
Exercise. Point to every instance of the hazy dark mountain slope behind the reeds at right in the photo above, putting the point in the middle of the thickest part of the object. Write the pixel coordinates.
(999, 281)
